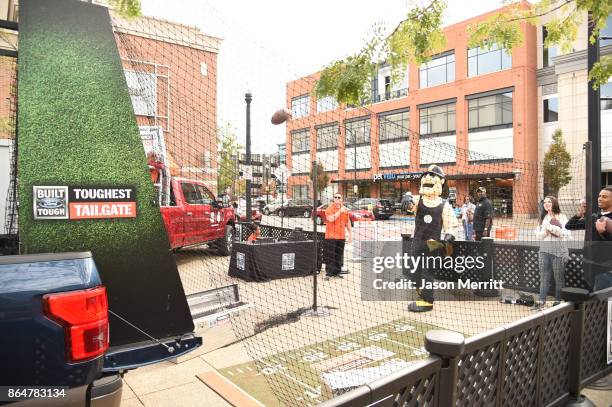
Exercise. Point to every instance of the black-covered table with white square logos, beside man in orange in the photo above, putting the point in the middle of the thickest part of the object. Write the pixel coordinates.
(271, 260)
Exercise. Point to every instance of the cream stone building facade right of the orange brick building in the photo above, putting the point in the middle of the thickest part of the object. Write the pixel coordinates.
(563, 104)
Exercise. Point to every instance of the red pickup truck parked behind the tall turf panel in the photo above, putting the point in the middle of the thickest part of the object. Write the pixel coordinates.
(195, 217)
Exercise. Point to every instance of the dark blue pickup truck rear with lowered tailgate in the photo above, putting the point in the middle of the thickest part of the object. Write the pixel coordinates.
(54, 332)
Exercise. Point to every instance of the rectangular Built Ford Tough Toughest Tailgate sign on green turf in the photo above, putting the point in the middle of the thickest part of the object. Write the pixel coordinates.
(76, 203)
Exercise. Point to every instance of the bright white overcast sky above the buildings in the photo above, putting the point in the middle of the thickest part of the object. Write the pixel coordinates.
(268, 43)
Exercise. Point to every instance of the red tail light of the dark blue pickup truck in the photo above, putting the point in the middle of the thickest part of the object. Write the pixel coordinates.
(84, 316)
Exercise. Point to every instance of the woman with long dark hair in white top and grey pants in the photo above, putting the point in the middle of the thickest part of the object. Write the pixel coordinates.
(553, 247)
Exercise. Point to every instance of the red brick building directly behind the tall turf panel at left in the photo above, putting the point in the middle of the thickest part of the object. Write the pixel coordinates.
(171, 72)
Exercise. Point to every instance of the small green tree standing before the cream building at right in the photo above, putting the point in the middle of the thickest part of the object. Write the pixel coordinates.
(557, 165)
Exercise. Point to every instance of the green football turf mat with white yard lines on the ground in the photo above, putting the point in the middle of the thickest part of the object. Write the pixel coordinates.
(309, 375)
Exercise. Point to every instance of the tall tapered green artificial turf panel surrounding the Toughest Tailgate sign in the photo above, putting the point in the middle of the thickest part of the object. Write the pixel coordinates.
(76, 127)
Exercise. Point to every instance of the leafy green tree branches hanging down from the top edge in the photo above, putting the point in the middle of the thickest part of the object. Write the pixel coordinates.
(420, 36)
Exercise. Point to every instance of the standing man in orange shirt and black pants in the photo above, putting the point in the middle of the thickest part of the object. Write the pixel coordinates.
(337, 231)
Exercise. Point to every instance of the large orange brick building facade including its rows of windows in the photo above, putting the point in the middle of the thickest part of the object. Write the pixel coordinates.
(471, 111)
